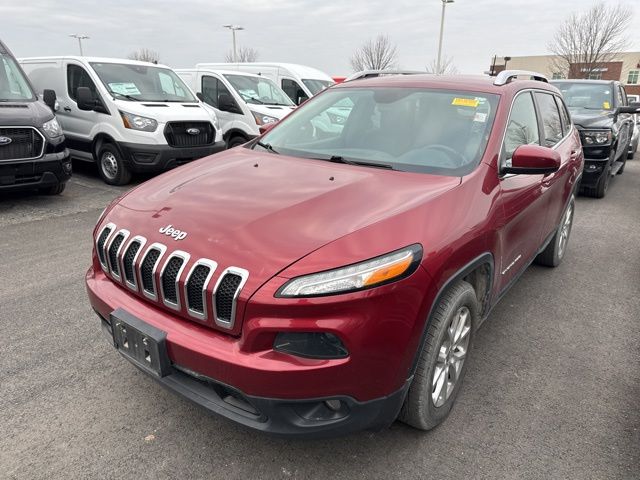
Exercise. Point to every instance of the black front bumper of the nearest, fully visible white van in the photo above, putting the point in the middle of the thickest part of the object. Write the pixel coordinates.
(143, 158)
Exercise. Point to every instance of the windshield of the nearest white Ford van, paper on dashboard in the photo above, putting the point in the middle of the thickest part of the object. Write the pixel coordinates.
(144, 83)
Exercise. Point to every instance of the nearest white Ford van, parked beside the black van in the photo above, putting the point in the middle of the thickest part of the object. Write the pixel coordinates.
(127, 116)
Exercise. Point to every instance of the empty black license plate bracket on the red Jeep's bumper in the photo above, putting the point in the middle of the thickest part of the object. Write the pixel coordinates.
(142, 344)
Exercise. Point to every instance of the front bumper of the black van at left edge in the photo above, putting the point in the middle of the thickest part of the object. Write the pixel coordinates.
(48, 171)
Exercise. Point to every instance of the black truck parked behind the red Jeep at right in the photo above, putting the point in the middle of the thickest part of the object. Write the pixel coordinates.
(601, 112)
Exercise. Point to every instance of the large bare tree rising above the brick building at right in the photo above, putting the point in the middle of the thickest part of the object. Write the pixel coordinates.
(588, 40)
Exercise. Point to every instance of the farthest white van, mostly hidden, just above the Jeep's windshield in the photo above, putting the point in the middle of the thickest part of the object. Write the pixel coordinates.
(298, 81)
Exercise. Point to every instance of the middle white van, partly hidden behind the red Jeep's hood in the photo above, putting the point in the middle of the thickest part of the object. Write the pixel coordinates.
(243, 102)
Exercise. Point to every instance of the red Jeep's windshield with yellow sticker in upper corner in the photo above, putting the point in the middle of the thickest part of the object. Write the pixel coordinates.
(410, 129)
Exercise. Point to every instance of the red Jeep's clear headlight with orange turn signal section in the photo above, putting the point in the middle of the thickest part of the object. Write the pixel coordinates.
(359, 276)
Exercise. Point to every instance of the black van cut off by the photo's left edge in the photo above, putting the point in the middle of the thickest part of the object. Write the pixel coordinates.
(32, 148)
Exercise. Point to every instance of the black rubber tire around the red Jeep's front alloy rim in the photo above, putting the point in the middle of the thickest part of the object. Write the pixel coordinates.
(419, 409)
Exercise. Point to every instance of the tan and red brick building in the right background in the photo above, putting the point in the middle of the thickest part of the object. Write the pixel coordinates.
(624, 67)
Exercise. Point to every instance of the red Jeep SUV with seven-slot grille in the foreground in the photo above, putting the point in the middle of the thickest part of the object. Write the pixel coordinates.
(329, 276)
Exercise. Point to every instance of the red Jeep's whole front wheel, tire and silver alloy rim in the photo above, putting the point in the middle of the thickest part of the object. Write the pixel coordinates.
(443, 359)
